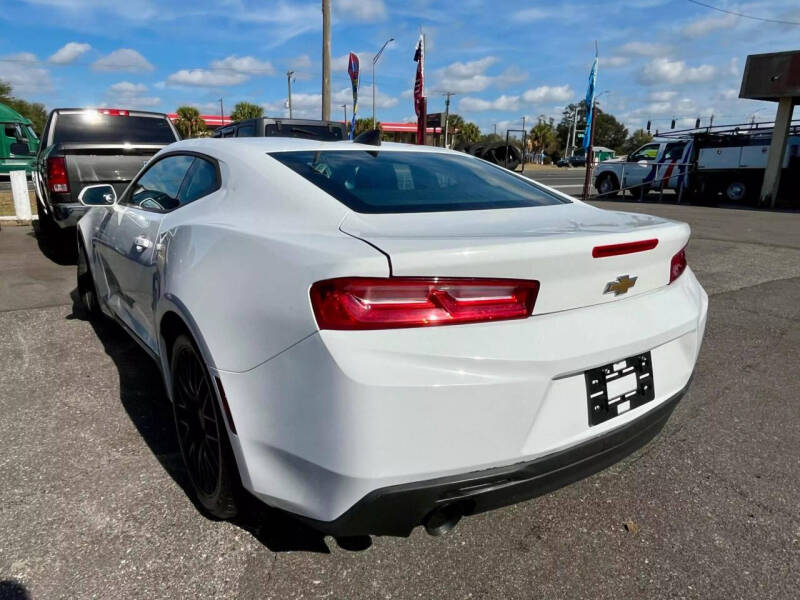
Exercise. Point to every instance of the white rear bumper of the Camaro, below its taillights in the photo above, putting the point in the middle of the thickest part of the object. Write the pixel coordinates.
(338, 416)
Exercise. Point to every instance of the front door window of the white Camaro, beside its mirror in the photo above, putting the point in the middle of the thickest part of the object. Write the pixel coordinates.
(158, 188)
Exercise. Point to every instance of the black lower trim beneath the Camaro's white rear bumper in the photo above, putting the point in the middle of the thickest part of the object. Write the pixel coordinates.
(396, 510)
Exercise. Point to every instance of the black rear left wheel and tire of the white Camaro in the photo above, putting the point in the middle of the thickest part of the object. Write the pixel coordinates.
(202, 432)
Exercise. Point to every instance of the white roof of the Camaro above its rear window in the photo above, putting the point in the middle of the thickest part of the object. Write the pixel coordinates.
(250, 145)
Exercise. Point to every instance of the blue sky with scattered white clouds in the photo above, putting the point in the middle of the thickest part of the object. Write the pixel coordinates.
(659, 59)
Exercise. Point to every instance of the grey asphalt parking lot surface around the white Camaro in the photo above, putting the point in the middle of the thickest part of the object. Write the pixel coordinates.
(92, 500)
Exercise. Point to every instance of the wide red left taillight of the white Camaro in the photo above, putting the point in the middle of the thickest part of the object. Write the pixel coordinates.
(395, 302)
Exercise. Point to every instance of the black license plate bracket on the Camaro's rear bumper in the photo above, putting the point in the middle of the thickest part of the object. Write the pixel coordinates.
(618, 387)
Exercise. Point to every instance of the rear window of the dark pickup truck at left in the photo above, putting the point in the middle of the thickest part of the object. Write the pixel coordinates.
(93, 128)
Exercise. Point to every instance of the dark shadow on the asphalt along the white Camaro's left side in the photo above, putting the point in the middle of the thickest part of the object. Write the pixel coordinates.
(145, 400)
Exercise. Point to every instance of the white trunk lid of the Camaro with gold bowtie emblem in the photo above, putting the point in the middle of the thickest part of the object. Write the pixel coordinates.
(551, 244)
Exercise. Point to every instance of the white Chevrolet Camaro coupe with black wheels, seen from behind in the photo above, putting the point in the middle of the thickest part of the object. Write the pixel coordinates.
(374, 337)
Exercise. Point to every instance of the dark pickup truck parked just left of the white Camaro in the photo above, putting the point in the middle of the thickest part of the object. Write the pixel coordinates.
(87, 146)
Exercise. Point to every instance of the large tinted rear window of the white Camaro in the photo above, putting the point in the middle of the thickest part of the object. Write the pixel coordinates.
(406, 182)
